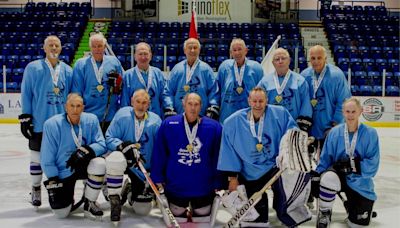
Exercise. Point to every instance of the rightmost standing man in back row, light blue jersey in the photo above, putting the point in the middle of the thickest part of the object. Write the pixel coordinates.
(328, 91)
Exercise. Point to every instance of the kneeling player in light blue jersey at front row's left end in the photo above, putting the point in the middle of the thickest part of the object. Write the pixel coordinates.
(72, 144)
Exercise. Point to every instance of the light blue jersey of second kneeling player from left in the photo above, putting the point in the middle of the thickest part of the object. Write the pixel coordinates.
(122, 128)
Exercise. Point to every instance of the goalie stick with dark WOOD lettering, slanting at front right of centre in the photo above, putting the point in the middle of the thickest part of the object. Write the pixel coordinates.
(254, 199)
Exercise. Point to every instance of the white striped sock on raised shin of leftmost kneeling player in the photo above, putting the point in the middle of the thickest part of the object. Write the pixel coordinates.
(96, 171)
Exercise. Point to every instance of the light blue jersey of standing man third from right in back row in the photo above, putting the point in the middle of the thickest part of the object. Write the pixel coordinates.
(232, 97)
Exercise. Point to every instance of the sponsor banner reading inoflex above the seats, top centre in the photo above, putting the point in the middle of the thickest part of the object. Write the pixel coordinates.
(218, 11)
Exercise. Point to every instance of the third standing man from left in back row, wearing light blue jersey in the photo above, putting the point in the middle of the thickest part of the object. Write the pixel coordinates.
(144, 76)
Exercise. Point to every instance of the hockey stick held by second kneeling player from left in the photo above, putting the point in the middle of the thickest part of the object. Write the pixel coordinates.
(169, 218)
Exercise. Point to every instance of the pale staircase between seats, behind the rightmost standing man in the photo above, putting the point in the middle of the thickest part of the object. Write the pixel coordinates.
(313, 33)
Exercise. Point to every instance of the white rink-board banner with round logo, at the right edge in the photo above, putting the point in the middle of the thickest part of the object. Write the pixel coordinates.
(380, 109)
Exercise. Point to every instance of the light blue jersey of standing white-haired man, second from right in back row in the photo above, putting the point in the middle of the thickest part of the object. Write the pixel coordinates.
(295, 97)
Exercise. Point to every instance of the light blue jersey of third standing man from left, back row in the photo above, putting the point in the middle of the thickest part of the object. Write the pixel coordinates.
(132, 83)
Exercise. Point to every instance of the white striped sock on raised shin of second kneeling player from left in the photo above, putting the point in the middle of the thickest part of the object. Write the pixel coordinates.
(115, 168)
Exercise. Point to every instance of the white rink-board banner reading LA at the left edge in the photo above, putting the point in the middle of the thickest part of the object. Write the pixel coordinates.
(10, 106)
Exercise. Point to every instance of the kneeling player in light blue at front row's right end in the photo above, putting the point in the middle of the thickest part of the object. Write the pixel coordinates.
(348, 163)
